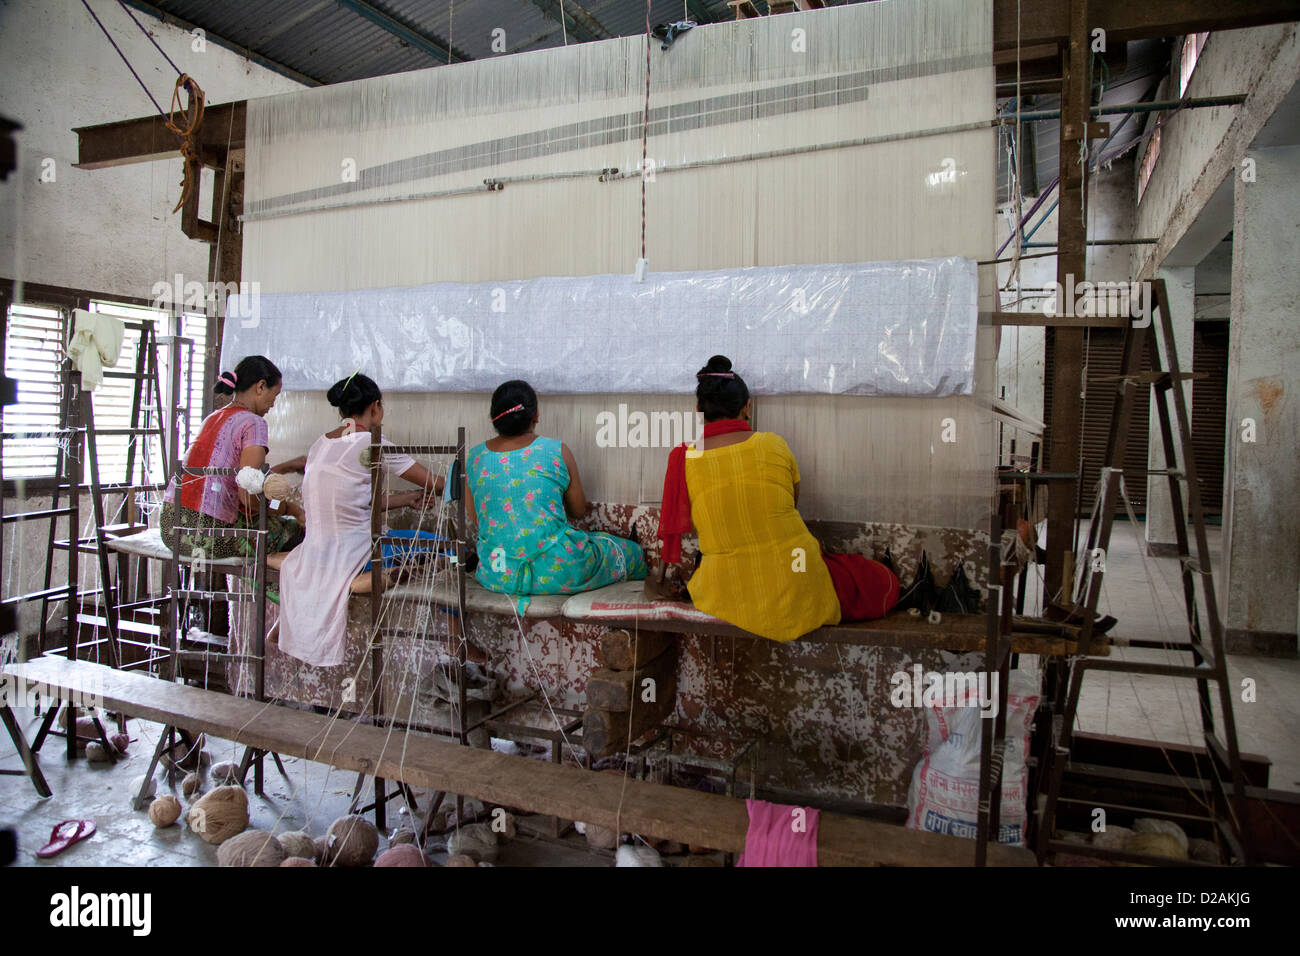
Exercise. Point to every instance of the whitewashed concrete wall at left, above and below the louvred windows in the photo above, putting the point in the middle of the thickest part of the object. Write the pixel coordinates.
(107, 231)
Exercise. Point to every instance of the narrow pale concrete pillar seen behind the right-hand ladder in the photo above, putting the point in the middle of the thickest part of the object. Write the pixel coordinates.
(1181, 284)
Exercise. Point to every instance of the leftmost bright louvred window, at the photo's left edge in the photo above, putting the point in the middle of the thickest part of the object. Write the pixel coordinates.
(34, 348)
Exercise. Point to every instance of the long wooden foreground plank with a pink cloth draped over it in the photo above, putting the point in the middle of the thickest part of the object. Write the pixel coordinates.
(671, 814)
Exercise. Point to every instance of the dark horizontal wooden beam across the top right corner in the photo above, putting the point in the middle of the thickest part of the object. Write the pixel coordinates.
(1048, 21)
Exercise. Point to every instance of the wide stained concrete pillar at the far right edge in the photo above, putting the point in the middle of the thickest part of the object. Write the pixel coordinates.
(1262, 509)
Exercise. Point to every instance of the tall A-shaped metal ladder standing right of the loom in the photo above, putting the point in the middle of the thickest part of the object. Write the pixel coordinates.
(1210, 664)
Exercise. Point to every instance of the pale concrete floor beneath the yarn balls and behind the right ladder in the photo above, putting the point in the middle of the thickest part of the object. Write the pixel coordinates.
(1145, 594)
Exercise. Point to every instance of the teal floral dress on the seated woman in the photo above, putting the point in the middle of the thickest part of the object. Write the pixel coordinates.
(526, 543)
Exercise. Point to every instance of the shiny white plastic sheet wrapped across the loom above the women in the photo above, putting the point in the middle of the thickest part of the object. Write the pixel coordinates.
(887, 330)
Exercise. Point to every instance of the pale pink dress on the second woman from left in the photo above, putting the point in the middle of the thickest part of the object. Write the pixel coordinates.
(317, 577)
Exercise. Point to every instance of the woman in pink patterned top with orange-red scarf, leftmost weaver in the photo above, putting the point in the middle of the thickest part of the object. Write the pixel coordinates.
(232, 438)
